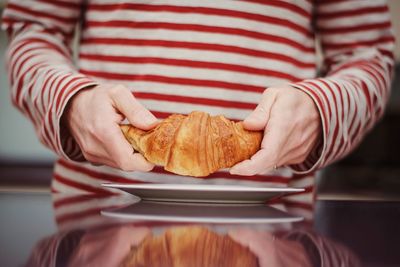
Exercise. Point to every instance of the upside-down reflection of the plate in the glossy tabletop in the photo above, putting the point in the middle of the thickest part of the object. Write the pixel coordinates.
(201, 213)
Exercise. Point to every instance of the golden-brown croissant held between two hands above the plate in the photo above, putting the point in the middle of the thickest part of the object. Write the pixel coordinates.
(195, 145)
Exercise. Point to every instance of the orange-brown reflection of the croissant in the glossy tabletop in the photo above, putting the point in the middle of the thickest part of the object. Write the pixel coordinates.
(190, 246)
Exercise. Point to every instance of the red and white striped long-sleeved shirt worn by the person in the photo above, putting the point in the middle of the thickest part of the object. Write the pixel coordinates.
(211, 55)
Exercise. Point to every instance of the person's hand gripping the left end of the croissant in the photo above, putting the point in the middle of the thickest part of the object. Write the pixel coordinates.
(93, 117)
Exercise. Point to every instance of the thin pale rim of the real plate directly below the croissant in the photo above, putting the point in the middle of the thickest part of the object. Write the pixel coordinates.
(202, 187)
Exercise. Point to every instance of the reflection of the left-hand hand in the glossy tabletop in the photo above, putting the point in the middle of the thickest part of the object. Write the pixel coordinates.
(107, 247)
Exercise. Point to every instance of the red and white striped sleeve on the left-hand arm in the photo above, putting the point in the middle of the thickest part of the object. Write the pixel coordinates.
(39, 62)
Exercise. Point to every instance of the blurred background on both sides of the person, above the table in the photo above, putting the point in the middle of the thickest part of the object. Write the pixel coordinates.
(373, 169)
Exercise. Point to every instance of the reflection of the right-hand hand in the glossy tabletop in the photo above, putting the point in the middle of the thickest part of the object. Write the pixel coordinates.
(271, 251)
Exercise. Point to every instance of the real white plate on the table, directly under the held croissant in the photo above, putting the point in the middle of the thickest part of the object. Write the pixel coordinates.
(203, 193)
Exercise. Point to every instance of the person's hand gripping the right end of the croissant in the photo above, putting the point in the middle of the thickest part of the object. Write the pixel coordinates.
(291, 124)
